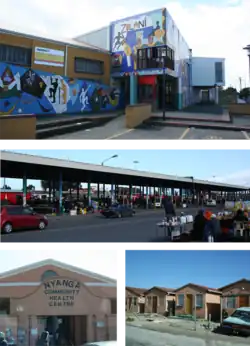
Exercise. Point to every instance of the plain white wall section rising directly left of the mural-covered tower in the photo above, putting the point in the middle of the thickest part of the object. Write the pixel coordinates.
(99, 38)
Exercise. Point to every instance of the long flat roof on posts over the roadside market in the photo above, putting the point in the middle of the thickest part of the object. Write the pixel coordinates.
(16, 165)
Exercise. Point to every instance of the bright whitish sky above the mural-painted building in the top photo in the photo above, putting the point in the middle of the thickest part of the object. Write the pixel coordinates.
(211, 28)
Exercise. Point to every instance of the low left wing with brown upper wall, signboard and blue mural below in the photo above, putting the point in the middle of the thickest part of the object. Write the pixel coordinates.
(41, 76)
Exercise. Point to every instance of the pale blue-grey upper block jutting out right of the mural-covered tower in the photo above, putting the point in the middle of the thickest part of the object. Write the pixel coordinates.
(203, 72)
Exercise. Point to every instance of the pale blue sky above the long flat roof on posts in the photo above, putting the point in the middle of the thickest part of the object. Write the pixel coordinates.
(229, 165)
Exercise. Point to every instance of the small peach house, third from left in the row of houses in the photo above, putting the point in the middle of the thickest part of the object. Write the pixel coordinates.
(201, 300)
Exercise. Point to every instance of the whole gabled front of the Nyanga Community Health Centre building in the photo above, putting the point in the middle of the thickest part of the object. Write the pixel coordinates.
(55, 296)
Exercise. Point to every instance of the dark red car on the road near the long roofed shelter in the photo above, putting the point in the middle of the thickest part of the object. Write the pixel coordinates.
(14, 217)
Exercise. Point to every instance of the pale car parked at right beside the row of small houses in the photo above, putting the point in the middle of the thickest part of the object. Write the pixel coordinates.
(238, 322)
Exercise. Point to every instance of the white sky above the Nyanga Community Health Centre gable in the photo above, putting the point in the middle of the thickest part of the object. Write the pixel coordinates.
(100, 261)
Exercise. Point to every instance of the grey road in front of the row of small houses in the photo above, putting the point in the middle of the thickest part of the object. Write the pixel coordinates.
(133, 336)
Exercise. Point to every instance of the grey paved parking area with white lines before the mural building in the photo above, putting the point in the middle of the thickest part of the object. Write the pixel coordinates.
(115, 133)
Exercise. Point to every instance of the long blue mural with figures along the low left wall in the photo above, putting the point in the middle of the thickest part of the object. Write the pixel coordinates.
(27, 91)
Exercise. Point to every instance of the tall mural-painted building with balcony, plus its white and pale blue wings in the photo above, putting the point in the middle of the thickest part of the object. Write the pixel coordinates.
(152, 62)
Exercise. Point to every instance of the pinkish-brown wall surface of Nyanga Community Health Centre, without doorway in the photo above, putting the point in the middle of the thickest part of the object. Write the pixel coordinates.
(27, 303)
